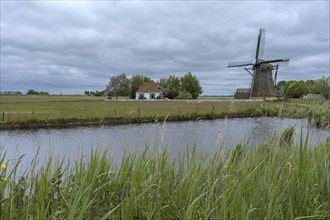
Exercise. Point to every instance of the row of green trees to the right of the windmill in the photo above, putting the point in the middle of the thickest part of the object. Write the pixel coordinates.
(296, 89)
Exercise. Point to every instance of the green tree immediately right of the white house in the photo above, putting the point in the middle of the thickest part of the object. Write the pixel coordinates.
(171, 86)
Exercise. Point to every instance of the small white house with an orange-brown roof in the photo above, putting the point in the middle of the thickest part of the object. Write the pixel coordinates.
(148, 91)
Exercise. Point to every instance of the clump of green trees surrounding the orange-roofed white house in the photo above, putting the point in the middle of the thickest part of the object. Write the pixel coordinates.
(186, 87)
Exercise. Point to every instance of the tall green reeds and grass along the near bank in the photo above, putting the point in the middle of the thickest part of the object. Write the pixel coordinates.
(274, 180)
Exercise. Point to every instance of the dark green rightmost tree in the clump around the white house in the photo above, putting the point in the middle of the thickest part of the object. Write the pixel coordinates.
(190, 84)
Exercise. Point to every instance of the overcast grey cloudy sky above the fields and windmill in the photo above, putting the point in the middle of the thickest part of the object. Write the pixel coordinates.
(72, 46)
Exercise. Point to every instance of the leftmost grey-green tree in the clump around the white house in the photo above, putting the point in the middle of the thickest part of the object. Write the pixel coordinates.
(119, 85)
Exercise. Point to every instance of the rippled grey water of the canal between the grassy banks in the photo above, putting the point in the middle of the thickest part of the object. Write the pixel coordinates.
(179, 137)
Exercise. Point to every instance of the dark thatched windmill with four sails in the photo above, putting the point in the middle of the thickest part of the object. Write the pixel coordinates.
(262, 84)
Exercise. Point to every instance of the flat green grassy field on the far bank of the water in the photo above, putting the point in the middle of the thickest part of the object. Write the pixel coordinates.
(23, 110)
